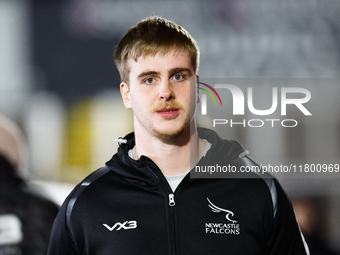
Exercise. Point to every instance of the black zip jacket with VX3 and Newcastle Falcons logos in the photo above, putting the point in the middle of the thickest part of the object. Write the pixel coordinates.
(128, 208)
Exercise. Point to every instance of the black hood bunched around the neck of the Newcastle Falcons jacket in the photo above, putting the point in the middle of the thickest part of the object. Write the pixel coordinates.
(144, 170)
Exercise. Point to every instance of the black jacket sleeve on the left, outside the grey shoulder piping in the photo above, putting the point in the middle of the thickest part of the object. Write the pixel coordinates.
(61, 241)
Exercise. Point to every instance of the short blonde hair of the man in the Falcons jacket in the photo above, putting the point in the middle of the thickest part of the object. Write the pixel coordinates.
(151, 36)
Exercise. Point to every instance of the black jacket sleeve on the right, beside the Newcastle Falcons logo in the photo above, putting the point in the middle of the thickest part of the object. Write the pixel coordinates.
(286, 237)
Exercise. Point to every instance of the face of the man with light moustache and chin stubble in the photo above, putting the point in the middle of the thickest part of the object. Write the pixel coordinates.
(161, 93)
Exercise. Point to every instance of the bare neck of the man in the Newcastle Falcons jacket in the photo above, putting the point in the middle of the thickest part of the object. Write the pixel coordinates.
(175, 156)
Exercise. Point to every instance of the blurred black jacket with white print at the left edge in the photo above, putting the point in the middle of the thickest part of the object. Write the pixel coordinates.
(26, 218)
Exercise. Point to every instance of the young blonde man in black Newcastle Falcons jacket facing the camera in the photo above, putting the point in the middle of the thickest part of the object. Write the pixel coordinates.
(144, 201)
